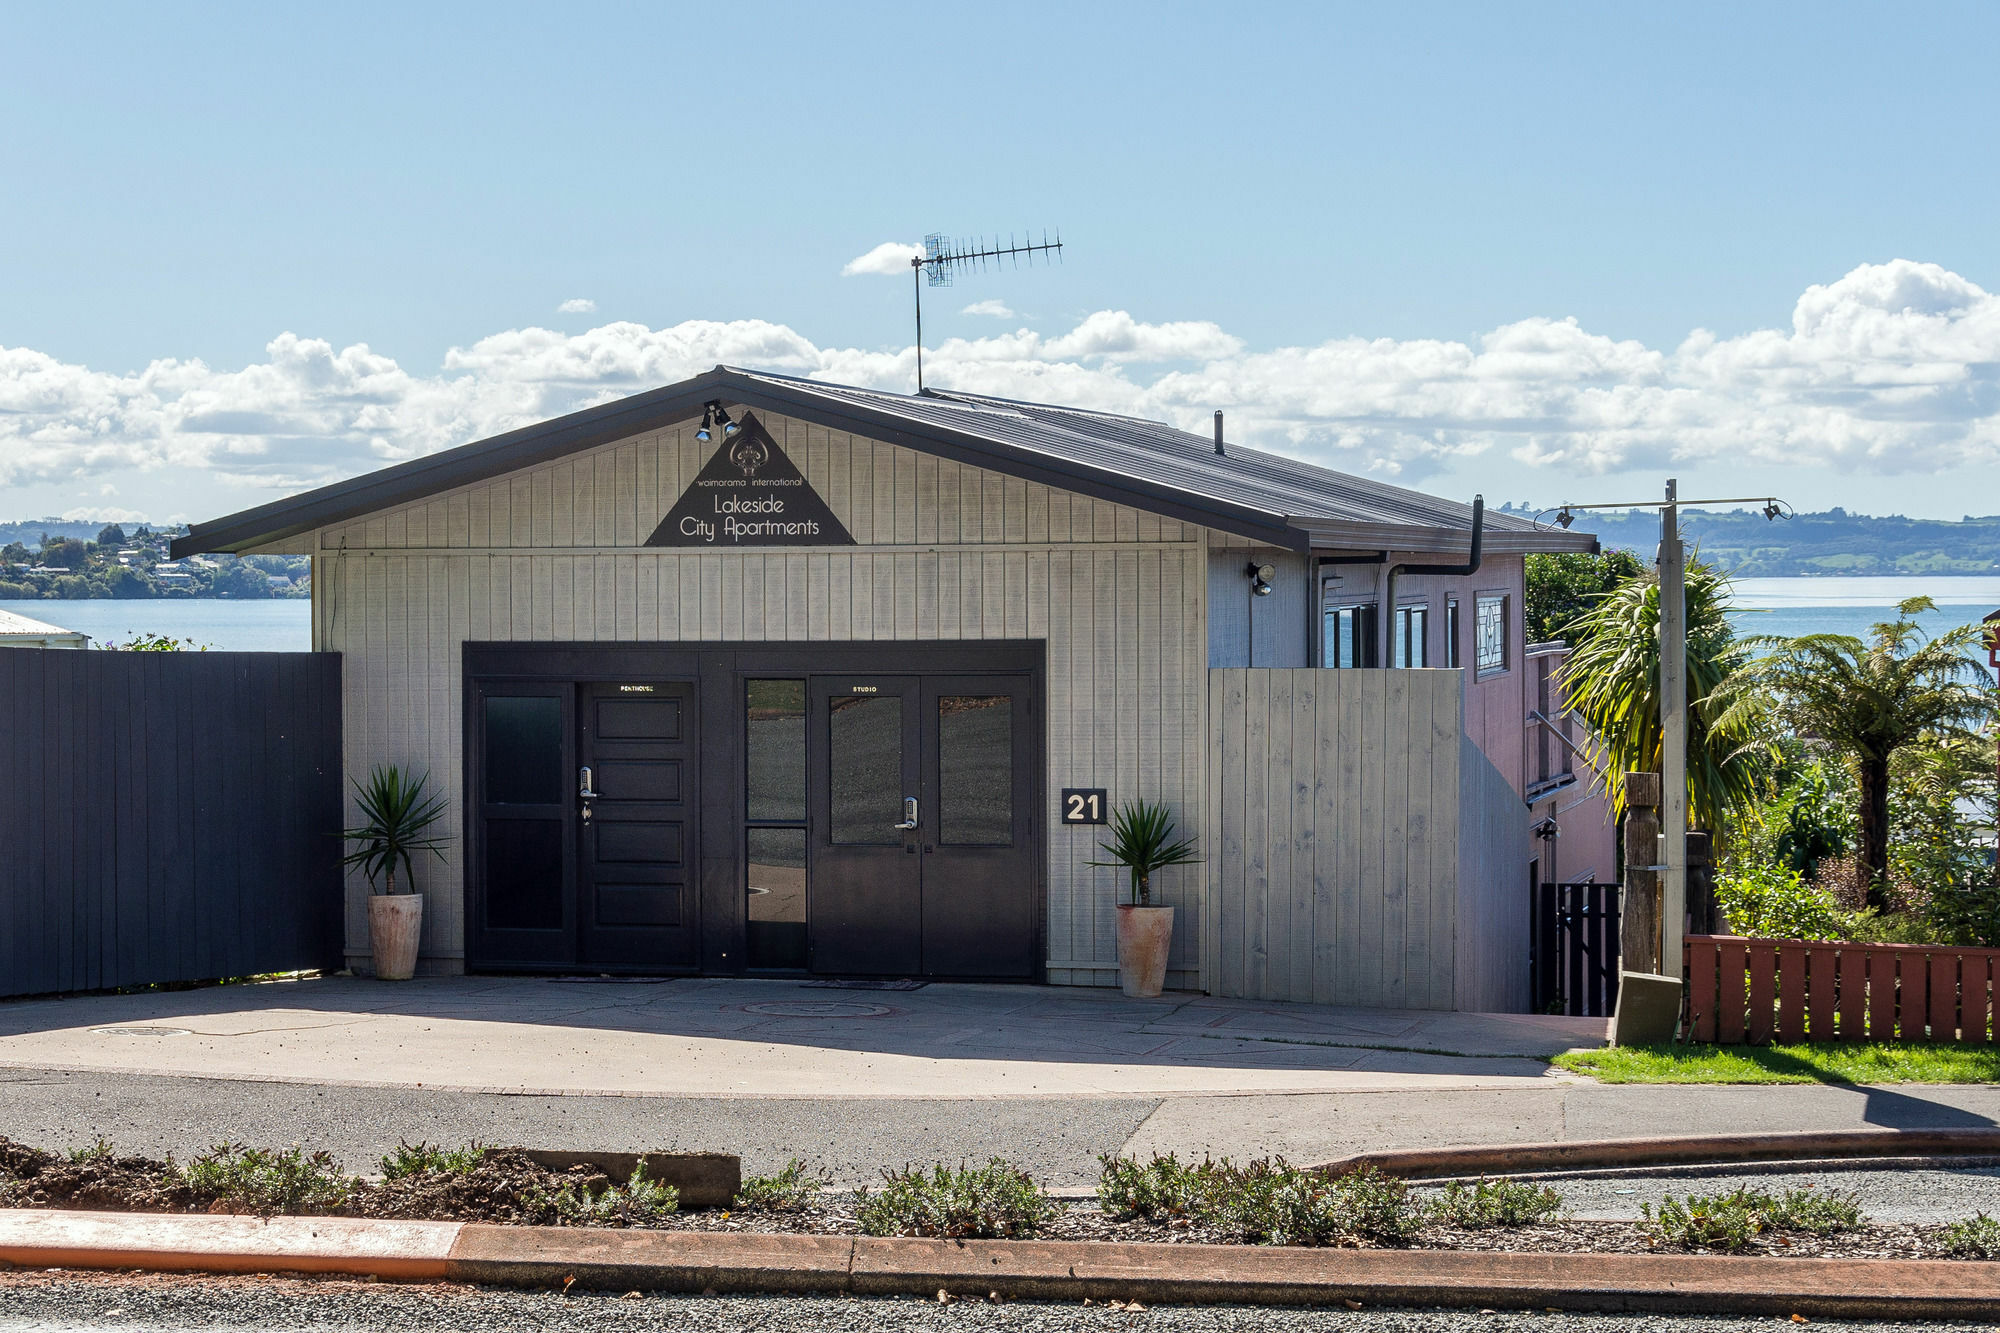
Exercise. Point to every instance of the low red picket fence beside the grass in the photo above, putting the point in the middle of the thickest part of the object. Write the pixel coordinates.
(1791, 990)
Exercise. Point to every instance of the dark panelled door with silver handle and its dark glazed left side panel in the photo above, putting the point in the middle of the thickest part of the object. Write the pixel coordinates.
(585, 848)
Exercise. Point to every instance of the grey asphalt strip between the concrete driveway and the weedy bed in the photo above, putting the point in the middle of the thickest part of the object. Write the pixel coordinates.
(1057, 1140)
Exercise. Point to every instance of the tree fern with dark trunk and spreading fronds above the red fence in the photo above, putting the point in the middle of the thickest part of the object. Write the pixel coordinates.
(1869, 700)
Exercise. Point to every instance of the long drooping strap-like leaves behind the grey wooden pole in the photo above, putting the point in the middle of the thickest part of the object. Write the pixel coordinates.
(1613, 682)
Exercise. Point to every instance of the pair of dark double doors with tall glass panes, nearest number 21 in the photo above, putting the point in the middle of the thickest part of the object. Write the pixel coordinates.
(921, 842)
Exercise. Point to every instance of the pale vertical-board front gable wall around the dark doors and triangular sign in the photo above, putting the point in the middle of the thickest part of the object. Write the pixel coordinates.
(1123, 627)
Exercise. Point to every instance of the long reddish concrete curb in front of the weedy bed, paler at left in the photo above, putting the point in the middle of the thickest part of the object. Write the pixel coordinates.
(695, 1262)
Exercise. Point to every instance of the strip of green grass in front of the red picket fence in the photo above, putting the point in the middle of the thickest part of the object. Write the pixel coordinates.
(1797, 1064)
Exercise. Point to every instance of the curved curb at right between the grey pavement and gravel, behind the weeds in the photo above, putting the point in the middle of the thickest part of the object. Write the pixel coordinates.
(1673, 1150)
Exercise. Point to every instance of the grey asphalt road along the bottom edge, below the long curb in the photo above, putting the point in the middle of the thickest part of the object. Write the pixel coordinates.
(51, 1302)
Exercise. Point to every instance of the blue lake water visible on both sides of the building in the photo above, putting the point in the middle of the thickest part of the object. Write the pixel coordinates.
(1765, 607)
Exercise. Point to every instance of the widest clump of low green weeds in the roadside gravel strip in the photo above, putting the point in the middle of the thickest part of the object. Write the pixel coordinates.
(1269, 1202)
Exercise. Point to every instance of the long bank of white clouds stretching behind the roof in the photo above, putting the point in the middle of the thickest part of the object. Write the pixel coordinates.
(1893, 369)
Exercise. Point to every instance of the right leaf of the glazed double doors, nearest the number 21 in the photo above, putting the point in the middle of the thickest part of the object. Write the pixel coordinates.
(979, 828)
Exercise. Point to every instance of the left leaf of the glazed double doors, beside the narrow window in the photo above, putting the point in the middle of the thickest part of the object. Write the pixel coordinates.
(865, 866)
